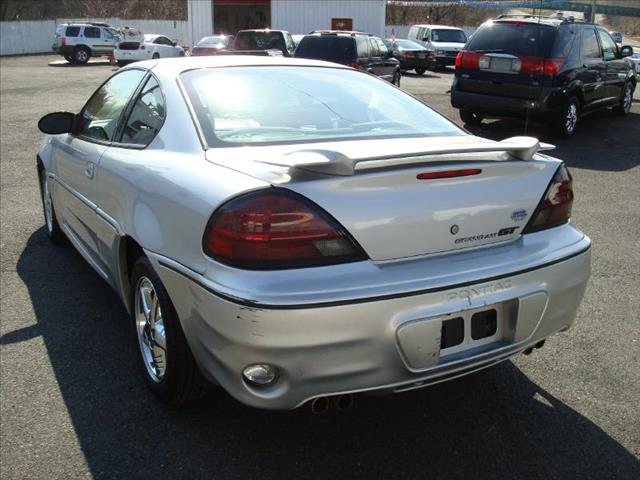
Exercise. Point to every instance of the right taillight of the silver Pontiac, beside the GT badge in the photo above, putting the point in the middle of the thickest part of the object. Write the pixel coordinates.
(555, 207)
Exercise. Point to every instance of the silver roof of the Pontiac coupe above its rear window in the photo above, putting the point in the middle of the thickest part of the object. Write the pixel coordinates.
(172, 67)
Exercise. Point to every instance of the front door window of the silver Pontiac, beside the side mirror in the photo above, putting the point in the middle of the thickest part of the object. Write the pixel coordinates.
(99, 117)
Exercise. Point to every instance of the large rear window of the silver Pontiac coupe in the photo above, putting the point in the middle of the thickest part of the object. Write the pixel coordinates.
(277, 104)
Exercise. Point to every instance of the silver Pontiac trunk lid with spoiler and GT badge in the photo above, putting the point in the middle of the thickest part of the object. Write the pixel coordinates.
(393, 214)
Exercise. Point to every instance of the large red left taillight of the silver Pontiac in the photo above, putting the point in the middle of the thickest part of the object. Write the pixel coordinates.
(276, 228)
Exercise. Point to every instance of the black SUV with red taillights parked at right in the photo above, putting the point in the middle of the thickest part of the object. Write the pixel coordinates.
(553, 68)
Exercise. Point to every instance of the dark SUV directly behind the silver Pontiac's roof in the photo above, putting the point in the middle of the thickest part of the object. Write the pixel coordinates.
(356, 49)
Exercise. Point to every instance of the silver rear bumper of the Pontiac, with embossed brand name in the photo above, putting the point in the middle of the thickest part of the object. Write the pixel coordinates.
(362, 345)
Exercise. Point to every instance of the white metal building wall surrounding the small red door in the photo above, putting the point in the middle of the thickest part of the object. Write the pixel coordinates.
(303, 16)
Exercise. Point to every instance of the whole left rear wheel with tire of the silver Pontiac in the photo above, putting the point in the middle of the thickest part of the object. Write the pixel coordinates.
(170, 372)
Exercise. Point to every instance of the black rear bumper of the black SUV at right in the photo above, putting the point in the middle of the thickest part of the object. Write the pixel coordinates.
(548, 103)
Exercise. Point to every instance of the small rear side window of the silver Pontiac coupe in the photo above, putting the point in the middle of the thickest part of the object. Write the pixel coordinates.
(147, 115)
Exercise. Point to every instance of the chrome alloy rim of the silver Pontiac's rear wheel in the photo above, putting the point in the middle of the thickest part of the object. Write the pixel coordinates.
(150, 330)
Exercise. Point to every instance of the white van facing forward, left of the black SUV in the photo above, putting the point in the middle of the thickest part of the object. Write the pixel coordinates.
(446, 41)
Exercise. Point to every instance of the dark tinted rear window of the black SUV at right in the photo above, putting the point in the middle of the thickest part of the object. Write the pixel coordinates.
(515, 38)
